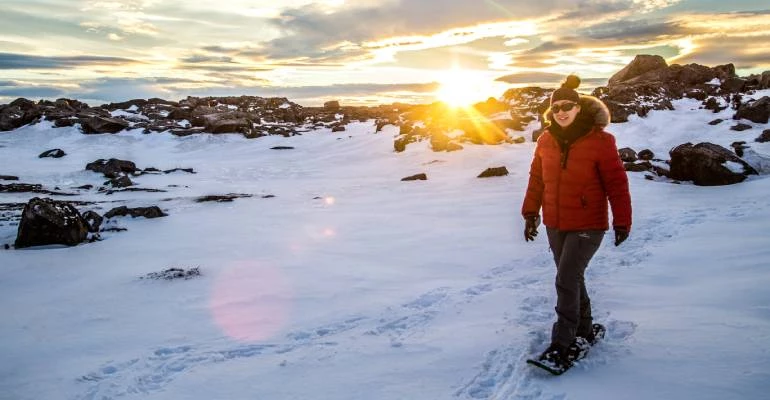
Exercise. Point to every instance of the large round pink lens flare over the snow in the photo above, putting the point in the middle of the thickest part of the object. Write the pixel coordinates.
(250, 301)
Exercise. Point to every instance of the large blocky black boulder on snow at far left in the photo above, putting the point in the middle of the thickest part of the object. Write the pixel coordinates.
(46, 221)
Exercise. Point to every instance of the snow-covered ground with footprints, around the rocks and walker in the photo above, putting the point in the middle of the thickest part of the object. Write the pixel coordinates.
(350, 284)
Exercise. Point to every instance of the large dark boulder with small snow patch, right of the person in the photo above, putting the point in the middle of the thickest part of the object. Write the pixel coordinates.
(708, 164)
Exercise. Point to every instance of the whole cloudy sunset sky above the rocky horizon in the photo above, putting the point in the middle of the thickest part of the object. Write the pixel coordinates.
(356, 51)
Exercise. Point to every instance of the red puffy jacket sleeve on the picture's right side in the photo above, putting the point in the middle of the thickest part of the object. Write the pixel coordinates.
(615, 182)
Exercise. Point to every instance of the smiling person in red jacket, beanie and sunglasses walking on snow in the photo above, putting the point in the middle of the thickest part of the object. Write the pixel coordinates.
(576, 171)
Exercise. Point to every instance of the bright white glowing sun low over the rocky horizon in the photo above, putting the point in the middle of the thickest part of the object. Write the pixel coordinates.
(460, 88)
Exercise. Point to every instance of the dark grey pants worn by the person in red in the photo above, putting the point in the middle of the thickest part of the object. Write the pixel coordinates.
(572, 251)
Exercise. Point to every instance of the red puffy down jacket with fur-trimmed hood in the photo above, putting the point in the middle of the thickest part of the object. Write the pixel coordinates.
(575, 197)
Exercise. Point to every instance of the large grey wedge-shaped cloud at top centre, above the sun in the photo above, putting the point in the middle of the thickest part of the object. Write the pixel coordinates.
(313, 30)
